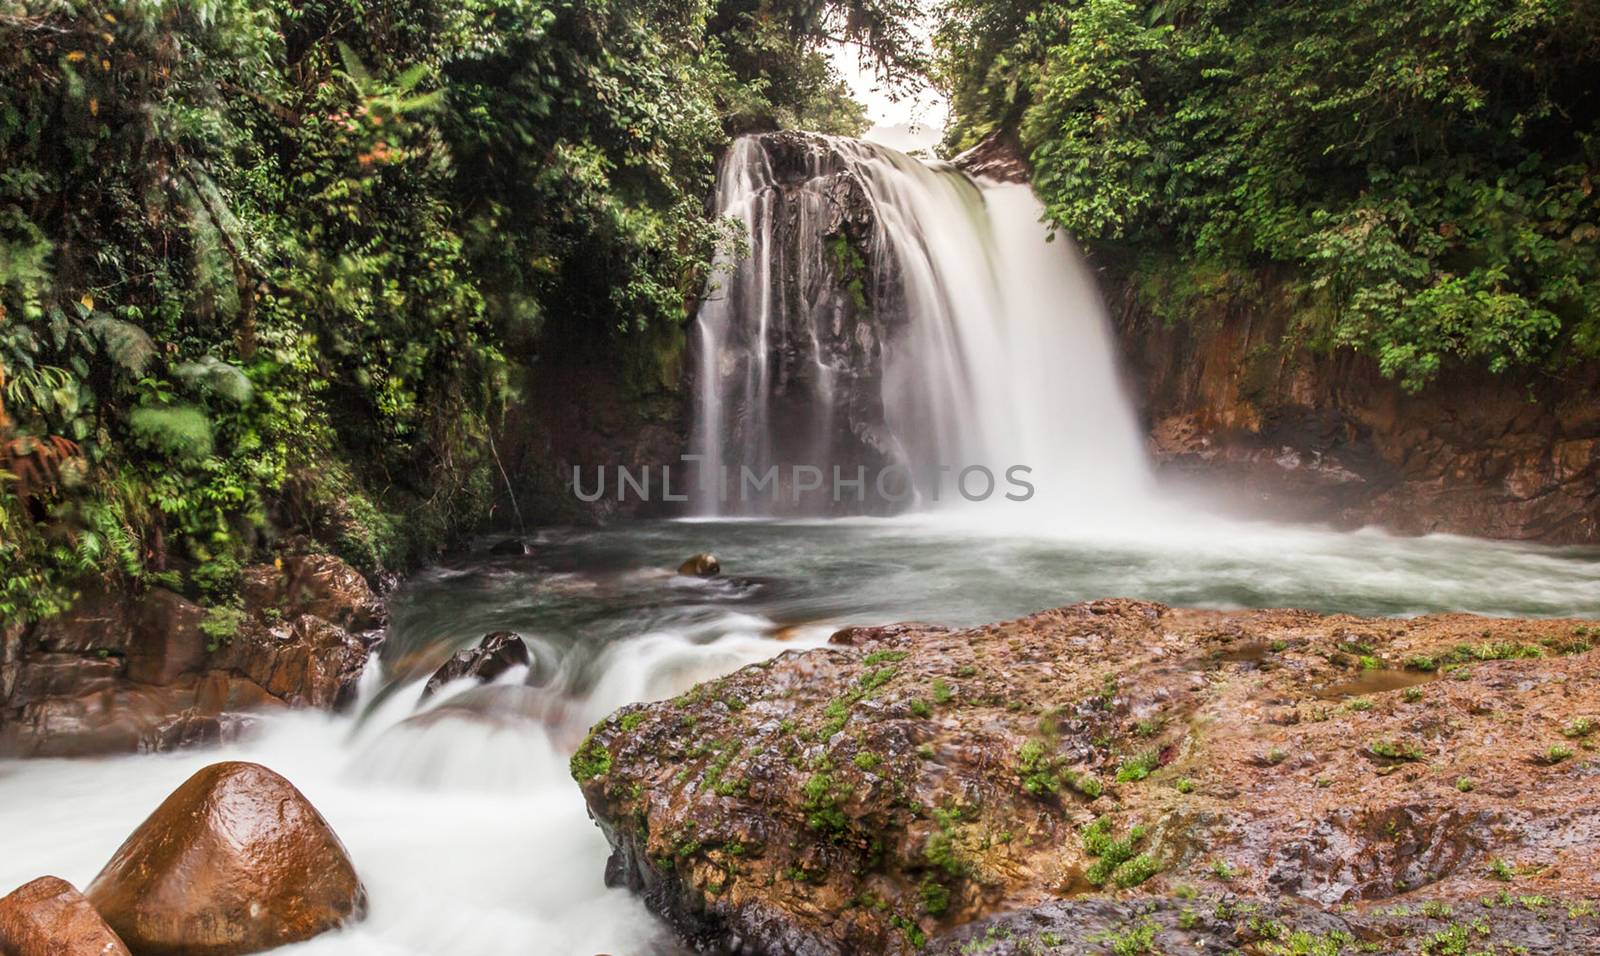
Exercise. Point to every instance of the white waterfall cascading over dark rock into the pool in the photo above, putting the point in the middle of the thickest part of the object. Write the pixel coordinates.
(894, 316)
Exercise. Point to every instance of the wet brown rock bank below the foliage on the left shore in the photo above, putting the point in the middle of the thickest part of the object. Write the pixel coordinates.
(137, 672)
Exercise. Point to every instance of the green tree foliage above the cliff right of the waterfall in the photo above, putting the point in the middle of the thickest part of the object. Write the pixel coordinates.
(1422, 173)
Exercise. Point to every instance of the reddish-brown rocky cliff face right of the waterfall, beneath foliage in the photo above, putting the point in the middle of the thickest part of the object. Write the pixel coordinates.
(1329, 437)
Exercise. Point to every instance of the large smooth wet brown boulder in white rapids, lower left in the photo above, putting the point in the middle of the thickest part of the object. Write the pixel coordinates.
(236, 861)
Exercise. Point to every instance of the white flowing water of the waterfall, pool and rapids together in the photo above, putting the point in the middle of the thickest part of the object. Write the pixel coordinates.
(460, 815)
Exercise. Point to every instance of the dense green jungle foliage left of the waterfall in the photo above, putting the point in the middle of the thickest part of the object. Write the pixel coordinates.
(279, 268)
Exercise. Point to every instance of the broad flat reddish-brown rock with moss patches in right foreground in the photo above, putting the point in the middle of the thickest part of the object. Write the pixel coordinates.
(908, 781)
